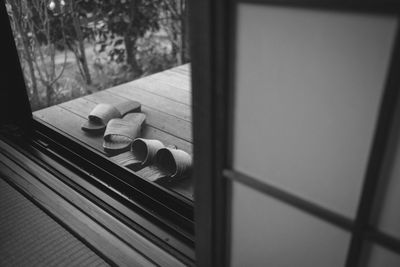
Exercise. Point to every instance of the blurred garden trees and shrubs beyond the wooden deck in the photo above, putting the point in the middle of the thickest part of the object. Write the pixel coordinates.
(69, 48)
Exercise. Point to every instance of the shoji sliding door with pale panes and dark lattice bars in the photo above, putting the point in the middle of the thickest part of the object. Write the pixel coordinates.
(314, 170)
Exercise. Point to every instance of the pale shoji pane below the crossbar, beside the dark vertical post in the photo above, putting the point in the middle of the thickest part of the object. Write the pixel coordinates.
(266, 232)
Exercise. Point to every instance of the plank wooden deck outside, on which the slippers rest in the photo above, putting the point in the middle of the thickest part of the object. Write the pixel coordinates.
(165, 99)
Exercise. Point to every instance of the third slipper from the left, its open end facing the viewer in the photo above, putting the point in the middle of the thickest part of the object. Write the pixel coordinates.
(142, 153)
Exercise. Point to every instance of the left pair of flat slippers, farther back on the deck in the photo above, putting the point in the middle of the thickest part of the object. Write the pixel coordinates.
(121, 124)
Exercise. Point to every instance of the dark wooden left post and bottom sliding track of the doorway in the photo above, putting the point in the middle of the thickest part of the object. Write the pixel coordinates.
(166, 211)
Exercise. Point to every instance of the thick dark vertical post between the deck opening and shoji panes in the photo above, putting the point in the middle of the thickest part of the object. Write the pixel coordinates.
(211, 21)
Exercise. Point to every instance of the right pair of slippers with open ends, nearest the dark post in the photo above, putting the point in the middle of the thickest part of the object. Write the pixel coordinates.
(152, 160)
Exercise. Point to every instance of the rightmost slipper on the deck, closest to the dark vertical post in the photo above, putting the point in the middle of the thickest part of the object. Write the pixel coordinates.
(169, 165)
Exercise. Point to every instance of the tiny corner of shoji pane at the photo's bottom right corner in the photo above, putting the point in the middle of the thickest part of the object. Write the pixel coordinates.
(381, 257)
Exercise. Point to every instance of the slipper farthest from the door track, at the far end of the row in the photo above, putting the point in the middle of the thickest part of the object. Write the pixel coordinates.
(101, 114)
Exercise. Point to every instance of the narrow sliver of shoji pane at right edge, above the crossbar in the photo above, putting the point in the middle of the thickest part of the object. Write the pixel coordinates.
(388, 216)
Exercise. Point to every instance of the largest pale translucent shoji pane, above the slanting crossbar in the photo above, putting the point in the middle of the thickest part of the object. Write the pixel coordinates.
(308, 88)
